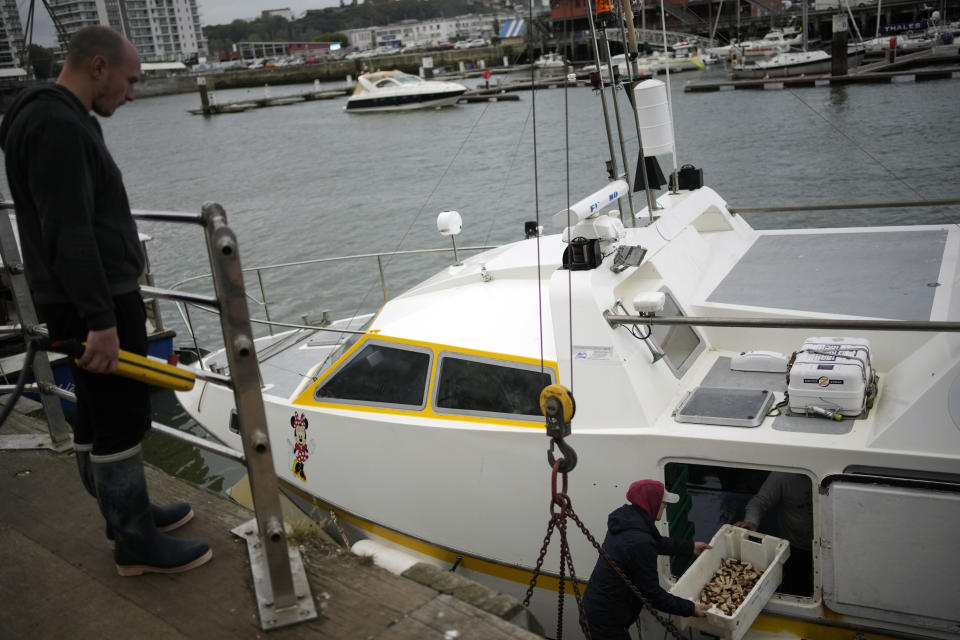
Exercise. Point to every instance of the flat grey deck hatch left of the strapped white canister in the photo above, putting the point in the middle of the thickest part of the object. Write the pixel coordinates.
(725, 407)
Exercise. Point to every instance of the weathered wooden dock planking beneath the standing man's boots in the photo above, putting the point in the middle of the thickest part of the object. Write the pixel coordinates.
(59, 579)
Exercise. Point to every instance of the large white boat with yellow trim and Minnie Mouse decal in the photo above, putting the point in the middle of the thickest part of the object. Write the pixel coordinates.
(823, 353)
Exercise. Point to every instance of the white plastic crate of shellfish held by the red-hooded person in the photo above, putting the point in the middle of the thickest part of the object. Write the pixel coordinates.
(763, 551)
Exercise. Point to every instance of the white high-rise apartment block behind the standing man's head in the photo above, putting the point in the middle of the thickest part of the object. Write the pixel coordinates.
(159, 29)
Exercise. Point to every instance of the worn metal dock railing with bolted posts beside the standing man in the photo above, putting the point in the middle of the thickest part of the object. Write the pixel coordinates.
(280, 582)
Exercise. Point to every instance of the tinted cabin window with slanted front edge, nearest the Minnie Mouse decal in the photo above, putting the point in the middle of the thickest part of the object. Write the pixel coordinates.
(380, 374)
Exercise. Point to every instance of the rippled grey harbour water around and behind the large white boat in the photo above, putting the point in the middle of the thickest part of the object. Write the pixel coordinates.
(310, 181)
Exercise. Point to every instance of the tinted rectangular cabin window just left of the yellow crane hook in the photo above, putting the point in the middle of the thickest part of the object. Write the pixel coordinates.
(473, 385)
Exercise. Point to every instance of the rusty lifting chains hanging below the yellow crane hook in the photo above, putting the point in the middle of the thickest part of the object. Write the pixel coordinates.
(558, 520)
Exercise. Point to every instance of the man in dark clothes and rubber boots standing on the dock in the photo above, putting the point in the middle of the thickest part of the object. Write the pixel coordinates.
(83, 259)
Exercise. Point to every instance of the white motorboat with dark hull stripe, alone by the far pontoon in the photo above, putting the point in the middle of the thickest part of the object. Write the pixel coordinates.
(398, 91)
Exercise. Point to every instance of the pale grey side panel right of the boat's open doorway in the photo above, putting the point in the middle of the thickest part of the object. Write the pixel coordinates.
(889, 552)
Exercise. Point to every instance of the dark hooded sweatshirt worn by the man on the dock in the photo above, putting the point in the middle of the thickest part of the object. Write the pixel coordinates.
(79, 241)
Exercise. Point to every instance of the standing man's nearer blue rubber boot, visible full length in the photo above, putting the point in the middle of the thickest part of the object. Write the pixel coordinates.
(140, 546)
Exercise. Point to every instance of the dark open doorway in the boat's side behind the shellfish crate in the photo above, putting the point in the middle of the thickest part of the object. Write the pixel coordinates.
(713, 495)
